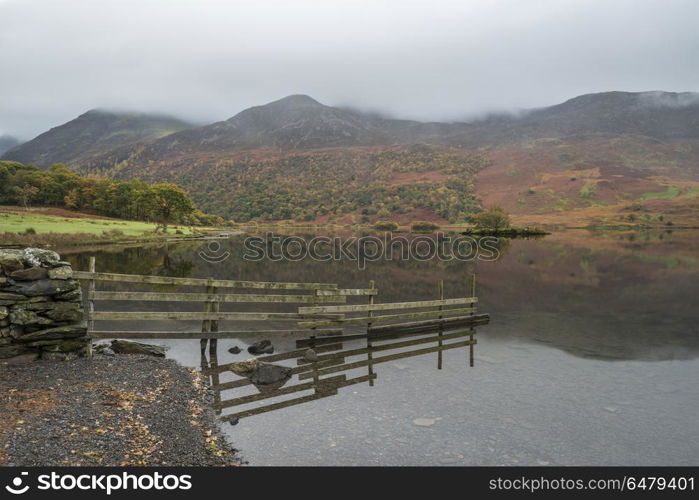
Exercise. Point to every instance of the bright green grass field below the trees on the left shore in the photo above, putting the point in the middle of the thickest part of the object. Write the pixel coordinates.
(19, 222)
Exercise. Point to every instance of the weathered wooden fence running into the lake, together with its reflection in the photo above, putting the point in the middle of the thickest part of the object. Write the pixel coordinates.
(321, 315)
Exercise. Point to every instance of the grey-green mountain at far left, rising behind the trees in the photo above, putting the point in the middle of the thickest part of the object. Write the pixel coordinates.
(93, 133)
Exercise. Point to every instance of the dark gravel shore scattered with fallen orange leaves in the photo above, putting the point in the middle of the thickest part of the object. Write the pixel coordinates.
(121, 410)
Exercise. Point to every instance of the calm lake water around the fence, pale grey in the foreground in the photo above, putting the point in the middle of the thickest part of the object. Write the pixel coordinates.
(591, 357)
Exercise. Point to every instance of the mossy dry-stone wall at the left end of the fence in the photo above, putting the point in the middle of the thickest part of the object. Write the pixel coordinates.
(41, 311)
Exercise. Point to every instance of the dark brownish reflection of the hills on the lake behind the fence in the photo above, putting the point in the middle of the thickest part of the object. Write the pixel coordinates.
(606, 296)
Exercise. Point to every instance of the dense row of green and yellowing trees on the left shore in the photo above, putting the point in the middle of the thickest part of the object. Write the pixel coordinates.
(59, 186)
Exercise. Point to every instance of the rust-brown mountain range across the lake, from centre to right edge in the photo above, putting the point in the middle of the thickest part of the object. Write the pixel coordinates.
(596, 157)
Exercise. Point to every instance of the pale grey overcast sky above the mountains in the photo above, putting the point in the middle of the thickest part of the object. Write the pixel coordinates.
(206, 60)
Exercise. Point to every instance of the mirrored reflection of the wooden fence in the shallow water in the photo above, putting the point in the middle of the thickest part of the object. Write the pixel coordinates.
(318, 368)
